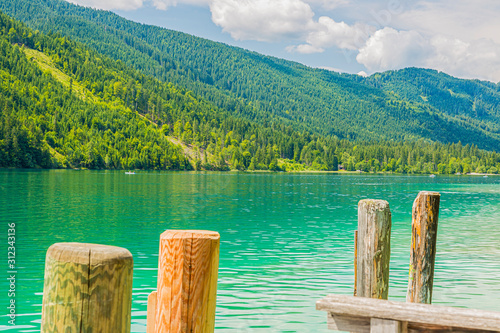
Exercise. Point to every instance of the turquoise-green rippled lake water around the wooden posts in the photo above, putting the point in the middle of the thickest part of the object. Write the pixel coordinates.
(286, 239)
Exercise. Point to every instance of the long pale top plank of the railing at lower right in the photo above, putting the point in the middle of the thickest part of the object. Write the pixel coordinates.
(410, 312)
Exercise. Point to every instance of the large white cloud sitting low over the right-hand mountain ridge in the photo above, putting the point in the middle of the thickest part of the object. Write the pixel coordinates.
(392, 49)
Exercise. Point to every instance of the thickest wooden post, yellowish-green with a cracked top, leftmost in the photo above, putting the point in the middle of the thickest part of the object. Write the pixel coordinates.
(87, 288)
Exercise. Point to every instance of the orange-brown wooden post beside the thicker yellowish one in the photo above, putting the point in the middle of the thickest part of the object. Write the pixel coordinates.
(187, 281)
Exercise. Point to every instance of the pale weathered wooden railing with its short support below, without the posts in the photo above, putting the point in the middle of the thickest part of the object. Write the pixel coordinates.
(361, 314)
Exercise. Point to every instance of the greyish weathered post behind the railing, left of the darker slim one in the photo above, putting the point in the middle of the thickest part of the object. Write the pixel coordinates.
(373, 249)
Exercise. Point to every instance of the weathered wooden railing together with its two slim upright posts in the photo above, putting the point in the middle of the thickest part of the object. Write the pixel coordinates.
(372, 312)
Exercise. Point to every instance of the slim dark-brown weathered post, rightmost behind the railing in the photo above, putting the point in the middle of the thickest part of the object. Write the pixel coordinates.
(423, 247)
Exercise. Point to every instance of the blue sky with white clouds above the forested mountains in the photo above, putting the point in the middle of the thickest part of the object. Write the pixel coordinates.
(459, 37)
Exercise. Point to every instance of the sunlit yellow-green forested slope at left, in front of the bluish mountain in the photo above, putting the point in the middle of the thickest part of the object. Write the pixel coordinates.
(63, 105)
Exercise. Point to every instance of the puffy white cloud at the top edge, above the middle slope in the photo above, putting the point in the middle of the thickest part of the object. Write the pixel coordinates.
(263, 20)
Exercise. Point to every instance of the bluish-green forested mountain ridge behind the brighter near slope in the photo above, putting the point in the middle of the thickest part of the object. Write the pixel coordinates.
(405, 105)
